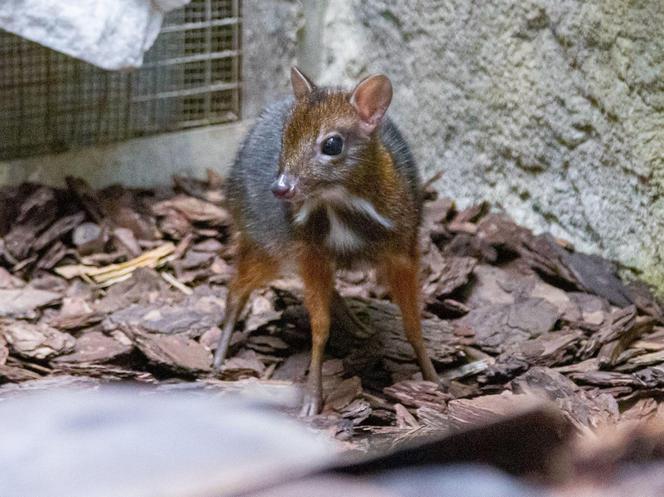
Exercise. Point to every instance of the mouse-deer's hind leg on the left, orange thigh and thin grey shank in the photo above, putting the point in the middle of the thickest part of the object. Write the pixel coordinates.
(254, 269)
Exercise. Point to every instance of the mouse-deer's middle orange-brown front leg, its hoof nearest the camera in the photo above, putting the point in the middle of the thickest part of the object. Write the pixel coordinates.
(318, 278)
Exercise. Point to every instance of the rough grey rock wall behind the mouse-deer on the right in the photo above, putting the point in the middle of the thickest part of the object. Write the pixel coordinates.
(553, 111)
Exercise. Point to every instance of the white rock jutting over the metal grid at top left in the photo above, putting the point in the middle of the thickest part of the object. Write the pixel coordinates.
(111, 35)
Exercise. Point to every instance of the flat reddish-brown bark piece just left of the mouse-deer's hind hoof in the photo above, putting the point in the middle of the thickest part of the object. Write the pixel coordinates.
(176, 352)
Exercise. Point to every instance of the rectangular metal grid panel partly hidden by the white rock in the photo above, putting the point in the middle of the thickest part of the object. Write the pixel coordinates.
(50, 102)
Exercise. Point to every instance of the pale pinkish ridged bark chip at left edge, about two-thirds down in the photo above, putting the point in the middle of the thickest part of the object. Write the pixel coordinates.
(36, 341)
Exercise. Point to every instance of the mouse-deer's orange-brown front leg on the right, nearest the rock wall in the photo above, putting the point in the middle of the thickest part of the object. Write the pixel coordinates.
(401, 272)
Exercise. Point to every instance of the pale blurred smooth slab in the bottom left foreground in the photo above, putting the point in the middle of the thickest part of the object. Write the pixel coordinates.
(137, 442)
